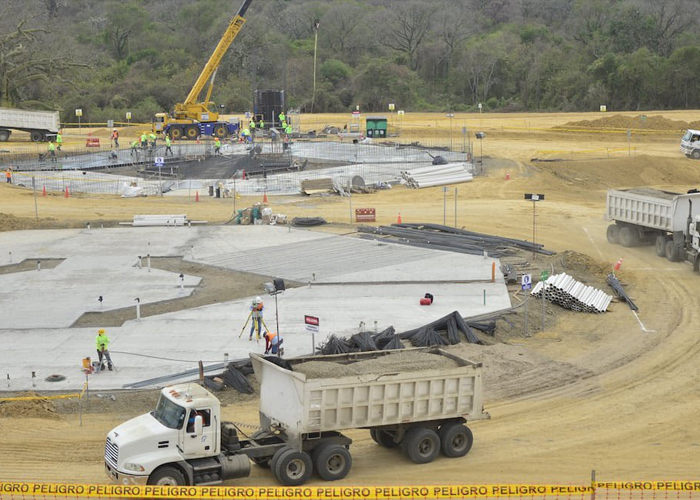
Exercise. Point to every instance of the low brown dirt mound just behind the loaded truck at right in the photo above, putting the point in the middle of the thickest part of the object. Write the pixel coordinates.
(615, 173)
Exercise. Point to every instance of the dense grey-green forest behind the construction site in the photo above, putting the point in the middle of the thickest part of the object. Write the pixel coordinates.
(107, 57)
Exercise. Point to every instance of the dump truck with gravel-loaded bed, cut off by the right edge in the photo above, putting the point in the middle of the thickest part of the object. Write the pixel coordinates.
(670, 221)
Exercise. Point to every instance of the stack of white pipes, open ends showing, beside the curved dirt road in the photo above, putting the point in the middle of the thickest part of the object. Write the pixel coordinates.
(565, 291)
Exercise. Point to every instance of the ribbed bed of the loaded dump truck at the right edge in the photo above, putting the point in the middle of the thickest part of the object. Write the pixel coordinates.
(652, 208)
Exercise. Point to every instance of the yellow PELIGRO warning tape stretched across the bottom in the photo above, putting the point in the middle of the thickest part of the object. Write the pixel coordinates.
(642, 490)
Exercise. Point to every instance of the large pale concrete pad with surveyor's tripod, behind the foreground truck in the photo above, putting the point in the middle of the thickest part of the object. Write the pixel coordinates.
(380, 288)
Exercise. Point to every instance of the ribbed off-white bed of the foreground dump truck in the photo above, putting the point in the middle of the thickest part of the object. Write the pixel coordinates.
(389, 395)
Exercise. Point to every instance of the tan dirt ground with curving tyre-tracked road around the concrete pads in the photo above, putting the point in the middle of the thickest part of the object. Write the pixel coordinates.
(615, 392)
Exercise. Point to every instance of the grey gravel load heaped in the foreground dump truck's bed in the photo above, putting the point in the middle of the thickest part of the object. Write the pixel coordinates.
(396, 362)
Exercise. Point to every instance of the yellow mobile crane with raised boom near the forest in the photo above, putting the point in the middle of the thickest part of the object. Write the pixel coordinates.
(191, 119)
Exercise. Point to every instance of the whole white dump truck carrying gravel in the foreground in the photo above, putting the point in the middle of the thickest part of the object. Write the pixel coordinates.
(420, 405)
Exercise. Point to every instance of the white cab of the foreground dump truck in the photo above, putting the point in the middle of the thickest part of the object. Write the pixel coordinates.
(184, 426)
